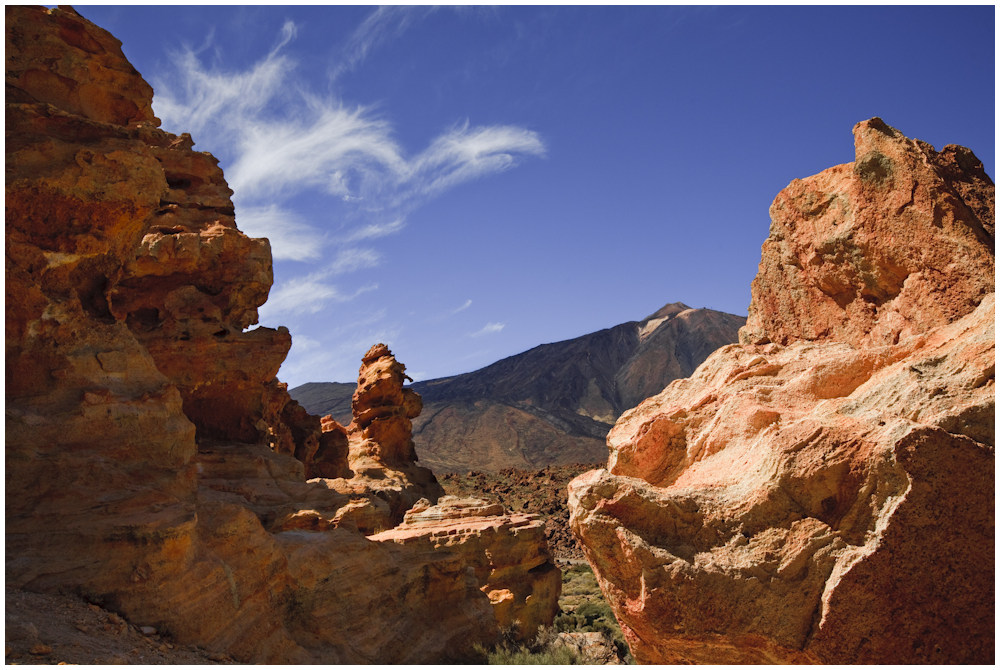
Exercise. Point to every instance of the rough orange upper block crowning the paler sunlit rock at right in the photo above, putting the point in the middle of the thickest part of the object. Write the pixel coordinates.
(892, 245)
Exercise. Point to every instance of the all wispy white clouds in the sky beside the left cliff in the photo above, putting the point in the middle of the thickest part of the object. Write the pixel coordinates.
(323, 178)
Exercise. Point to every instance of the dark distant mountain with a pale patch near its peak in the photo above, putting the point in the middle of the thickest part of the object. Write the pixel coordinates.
(552, 404)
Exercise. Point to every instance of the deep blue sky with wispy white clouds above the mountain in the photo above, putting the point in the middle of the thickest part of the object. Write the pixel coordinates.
(466, 183)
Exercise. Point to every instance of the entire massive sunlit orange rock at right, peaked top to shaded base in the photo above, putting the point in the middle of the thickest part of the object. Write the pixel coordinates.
(824, 491)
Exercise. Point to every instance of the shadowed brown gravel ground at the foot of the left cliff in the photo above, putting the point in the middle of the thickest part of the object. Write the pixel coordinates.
(54, 630)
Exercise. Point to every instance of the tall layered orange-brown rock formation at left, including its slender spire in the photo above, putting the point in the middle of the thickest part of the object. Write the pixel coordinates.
(154, 464)
